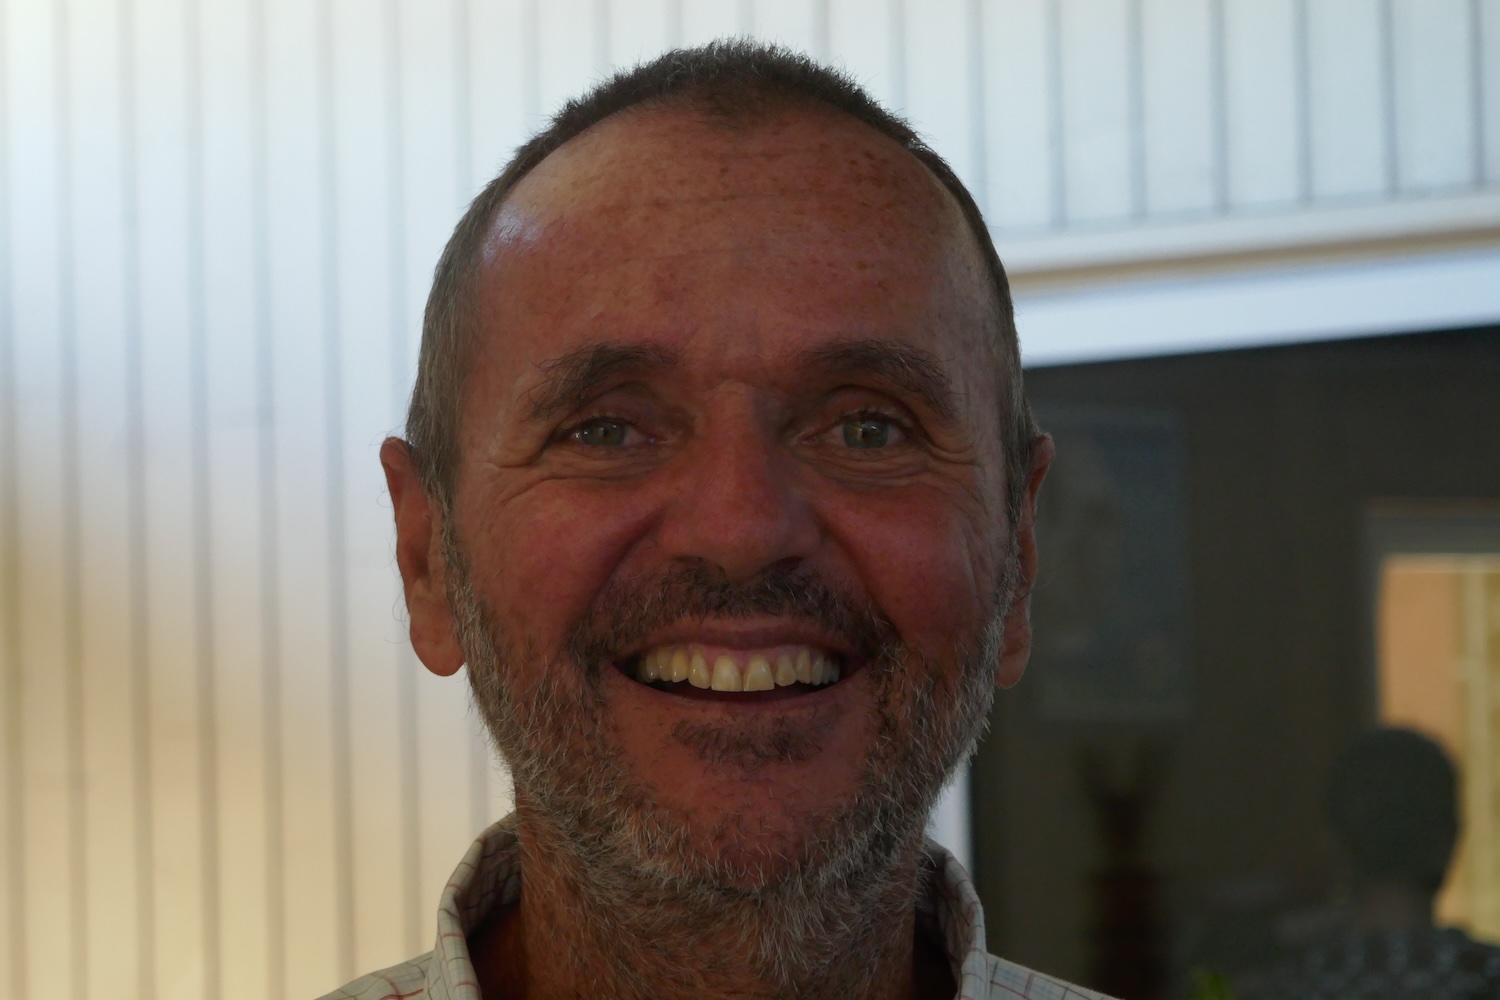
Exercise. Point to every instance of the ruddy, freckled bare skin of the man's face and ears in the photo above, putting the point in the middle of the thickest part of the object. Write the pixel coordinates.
(737, 248)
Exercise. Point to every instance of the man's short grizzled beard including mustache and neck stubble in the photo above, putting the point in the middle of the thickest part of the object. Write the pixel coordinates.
(653, 897)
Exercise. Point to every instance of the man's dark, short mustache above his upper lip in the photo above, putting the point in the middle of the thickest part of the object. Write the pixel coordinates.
(628, 612)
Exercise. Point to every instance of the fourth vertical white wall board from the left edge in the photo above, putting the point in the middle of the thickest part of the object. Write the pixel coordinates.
(238, 573)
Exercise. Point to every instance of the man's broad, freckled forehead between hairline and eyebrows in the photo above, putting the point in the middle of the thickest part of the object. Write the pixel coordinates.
(728, 241)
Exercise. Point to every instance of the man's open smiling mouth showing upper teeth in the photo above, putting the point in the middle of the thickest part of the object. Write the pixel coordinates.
(694, 669)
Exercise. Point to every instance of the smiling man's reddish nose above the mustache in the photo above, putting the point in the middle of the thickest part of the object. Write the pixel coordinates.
(740, 503)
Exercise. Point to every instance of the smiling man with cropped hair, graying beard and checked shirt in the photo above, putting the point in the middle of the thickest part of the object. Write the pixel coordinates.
(721, 481)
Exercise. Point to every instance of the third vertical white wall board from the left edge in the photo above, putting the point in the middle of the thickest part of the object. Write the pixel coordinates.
(166, 226)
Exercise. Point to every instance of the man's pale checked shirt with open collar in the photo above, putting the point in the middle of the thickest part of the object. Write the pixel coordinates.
(490, 878)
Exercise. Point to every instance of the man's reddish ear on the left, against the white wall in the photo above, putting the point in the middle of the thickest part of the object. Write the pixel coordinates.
(419, 555)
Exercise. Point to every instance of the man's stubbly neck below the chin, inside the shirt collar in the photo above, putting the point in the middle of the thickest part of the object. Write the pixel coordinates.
(575, 933)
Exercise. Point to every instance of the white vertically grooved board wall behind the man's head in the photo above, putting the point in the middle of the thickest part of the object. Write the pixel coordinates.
(223, 773)
